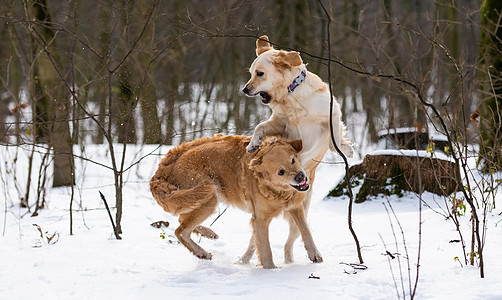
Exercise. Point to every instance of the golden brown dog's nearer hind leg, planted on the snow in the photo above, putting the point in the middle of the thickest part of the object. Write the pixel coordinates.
(190, 220)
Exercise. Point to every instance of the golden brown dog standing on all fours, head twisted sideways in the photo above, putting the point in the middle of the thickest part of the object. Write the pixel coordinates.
(194, 176)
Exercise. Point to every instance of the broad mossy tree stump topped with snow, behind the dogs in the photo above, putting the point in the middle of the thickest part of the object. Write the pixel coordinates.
(390, 172)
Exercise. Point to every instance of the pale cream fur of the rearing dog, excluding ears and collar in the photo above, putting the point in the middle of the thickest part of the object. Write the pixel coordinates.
(301, 114)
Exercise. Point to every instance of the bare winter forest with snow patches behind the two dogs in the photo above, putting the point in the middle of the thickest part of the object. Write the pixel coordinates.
(165, 72)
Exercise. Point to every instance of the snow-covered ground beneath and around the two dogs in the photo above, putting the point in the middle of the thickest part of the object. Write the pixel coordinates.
(92, 264)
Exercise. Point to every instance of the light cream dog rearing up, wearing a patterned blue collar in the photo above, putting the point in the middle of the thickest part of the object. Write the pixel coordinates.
(300, 103)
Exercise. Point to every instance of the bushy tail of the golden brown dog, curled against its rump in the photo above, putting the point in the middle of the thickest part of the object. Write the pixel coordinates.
(177, 201)
